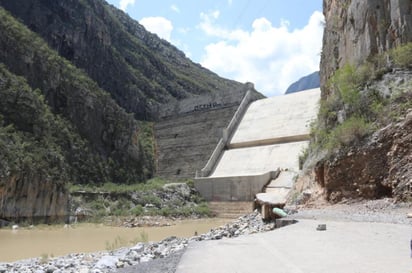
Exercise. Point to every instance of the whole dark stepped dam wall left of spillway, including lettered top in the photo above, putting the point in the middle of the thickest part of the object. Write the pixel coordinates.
(189, 130)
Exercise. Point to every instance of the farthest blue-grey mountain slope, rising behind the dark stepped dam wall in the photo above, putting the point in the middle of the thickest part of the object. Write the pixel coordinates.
(144, 74)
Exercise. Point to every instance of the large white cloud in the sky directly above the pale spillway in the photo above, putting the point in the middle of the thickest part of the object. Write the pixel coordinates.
(271, 57)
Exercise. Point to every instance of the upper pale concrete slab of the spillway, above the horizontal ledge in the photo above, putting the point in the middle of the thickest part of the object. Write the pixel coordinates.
(278, 119)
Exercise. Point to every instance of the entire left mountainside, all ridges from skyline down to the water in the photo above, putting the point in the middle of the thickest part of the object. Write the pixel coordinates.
(80, 86)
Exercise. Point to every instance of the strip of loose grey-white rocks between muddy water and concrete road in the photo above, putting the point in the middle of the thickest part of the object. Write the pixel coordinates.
(110, 261)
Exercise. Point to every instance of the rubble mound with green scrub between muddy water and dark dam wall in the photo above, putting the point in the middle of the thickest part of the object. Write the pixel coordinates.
(171, 200)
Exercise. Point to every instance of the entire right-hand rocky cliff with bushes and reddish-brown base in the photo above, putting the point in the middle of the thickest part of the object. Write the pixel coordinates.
(361, 145)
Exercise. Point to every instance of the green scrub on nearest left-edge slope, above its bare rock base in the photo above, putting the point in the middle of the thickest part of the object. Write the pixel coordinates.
(30, 133)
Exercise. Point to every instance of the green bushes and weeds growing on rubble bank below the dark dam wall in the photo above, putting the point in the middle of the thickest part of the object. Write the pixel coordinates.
(153, 198)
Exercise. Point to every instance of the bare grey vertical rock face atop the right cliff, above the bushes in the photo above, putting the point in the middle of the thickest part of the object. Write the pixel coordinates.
(358, 29)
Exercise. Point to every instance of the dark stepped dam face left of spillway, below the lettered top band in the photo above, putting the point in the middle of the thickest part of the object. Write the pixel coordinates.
(185, 143)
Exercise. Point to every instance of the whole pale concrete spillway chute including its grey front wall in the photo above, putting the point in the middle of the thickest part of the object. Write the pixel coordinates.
(269, 136)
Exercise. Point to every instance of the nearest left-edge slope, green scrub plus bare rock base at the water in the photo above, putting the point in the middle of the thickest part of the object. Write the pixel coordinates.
(34, 166)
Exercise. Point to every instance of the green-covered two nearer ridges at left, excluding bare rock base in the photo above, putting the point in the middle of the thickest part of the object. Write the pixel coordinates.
(67, 127)
